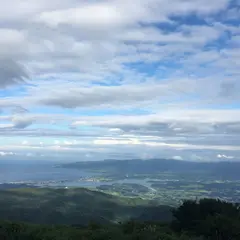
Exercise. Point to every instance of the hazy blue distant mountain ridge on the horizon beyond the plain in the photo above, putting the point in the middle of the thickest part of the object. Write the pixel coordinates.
(225, 169)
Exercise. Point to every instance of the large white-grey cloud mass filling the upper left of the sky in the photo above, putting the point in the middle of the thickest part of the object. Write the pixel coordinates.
(49, 36)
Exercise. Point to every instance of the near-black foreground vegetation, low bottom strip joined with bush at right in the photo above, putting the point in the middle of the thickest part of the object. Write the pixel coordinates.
(193, 220)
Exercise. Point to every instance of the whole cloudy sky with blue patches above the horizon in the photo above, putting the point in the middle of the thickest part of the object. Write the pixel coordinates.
(117, 79)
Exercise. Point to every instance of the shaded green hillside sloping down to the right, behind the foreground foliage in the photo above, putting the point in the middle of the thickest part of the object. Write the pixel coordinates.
(75, 206)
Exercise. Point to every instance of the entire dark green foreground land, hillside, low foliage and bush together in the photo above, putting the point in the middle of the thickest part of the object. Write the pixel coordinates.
(49, 214)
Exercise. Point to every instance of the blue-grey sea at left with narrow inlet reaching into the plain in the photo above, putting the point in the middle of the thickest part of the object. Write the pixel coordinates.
(48, 174)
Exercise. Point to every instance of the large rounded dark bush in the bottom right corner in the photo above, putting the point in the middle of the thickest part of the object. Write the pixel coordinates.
(214, 219)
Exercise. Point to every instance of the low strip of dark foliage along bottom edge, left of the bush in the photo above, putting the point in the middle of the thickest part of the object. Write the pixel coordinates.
(129, 231)
